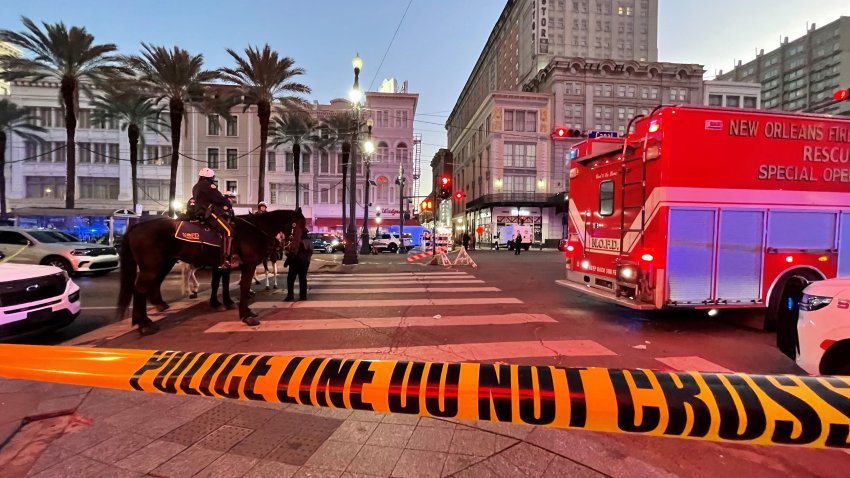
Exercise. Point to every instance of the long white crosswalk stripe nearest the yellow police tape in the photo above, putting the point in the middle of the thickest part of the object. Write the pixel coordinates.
(465, 352)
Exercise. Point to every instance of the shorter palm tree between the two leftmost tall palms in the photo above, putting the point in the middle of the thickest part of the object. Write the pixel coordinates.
(133, 110)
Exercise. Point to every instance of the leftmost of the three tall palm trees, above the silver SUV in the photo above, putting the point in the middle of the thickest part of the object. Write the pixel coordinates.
(67, 55)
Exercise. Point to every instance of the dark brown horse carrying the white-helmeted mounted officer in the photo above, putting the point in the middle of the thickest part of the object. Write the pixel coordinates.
(149, 251)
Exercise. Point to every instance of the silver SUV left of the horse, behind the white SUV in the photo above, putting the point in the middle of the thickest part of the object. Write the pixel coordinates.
(54, 248)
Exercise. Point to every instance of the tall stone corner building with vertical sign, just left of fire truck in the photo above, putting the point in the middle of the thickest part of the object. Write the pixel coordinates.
(499, 131)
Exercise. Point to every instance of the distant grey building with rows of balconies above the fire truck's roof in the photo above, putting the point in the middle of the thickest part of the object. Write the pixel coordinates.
(802, 75)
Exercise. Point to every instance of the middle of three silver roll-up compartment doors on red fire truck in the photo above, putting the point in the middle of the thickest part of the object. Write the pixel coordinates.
(740, 256)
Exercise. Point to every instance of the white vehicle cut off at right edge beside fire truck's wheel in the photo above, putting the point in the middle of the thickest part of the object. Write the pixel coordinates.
(823, 328)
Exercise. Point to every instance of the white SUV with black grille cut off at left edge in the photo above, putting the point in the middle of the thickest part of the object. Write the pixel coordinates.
(35, 298)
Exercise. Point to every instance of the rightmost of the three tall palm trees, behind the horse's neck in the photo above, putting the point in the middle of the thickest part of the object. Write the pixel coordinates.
(264, 77)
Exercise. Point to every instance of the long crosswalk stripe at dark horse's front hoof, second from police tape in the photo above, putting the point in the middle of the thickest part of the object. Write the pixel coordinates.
(381, 322)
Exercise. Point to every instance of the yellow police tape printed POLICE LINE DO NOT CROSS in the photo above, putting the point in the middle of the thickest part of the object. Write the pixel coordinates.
(758, 409)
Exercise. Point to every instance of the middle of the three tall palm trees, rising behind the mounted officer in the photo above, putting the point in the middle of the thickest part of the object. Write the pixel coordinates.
(176, 76)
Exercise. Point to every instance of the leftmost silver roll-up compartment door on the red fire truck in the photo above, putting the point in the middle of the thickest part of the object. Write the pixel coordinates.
(690, 255)
